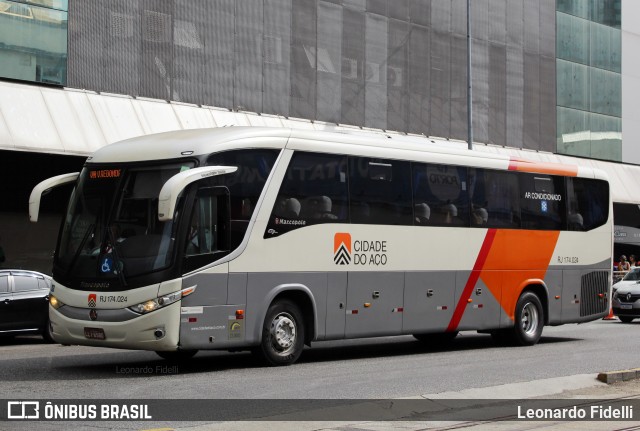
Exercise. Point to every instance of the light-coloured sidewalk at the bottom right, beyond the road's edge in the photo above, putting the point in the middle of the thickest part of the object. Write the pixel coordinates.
(581, 388)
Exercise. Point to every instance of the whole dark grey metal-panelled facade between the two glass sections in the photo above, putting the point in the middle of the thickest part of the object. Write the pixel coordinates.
(397, 65)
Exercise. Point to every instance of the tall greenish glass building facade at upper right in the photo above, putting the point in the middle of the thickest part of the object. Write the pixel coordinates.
(589, 83)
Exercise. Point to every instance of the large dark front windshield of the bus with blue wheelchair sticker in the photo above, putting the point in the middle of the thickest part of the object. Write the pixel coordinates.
(111, 231)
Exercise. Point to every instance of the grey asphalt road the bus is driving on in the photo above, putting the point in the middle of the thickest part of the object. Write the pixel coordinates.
(358, 369)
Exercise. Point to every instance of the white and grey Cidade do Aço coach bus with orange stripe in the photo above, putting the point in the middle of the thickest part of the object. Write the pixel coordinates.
(269, 239)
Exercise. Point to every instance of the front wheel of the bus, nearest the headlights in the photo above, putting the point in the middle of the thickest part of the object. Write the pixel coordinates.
(282, 334)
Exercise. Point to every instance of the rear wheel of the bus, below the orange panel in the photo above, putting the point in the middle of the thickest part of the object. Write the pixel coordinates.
(529, 320)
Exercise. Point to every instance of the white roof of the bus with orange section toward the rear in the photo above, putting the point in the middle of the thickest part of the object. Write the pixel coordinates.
(196, 142)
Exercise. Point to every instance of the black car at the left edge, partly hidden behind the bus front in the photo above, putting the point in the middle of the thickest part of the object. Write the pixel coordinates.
(24, 303)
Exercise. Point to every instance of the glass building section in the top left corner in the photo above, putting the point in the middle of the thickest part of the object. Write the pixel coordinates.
(33, 40)
